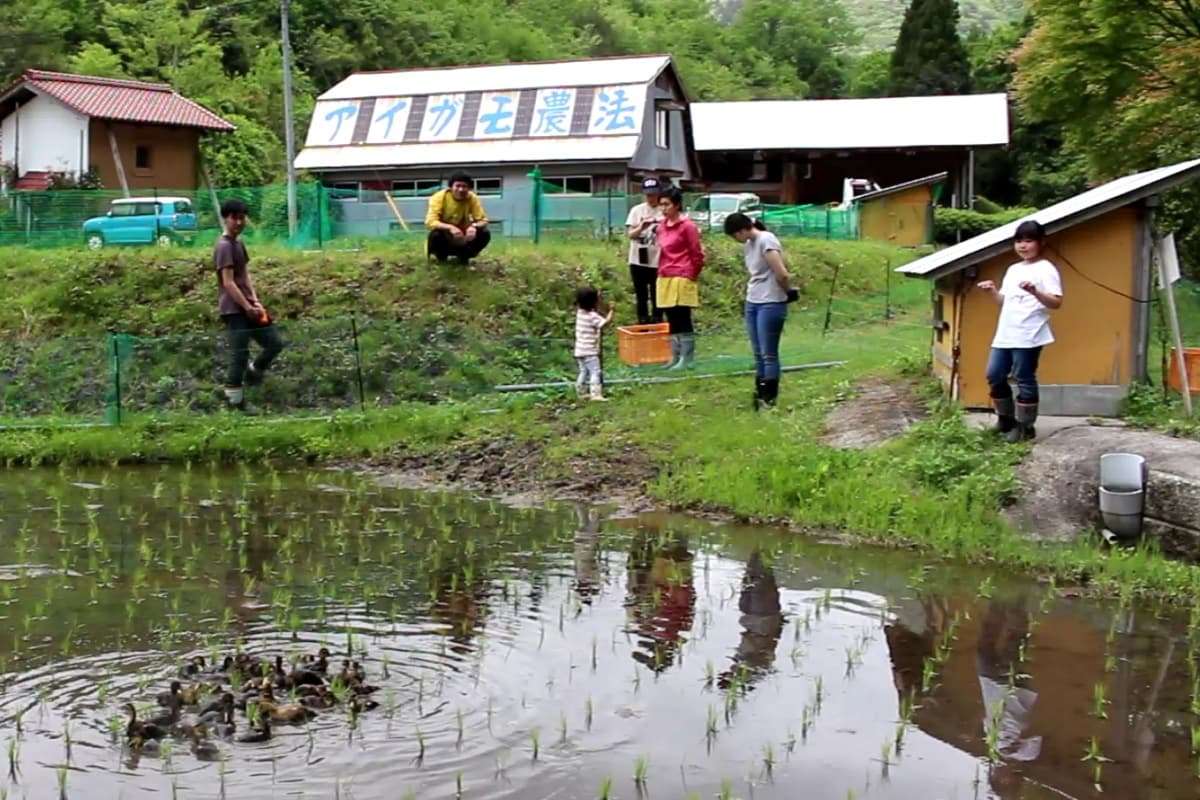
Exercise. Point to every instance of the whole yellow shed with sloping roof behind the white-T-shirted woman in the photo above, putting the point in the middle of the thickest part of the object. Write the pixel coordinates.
(1101, 242)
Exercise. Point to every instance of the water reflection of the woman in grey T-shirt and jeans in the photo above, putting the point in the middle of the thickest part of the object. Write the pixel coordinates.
(763, 624)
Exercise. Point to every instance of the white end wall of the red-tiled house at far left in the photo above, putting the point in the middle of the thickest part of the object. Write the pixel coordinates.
(52, 139)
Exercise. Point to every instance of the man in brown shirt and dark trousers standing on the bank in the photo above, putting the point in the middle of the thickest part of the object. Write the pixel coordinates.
(238, 304)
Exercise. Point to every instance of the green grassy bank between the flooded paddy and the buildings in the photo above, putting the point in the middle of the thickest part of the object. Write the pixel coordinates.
(939, 489)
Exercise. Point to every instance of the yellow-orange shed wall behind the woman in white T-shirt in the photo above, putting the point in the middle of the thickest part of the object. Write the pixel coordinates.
(1094, 330)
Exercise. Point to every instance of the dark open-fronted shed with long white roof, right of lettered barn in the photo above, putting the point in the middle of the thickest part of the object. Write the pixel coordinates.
(801, 151)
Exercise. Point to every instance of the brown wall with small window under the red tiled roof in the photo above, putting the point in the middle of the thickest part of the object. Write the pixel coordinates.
(173, 155)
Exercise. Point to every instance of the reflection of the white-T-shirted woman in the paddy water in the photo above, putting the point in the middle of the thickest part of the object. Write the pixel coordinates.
(997, 661)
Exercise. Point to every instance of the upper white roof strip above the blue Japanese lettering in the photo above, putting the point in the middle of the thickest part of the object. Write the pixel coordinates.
(591, 73)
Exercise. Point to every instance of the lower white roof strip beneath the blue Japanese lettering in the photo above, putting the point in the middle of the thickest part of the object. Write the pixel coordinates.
(608, 148)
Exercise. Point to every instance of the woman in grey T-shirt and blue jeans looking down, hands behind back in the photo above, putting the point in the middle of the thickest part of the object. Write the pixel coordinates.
(767, 297)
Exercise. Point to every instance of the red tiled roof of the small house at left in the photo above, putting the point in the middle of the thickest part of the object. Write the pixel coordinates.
(127, 101)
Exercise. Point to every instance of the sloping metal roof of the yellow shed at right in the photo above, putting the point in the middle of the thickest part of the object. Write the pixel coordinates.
(1057, 218)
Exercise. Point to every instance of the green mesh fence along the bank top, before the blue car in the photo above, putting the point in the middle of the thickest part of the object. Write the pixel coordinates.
(536, 208)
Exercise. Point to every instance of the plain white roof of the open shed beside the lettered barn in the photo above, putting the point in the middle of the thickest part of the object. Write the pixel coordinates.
(884, 123)
